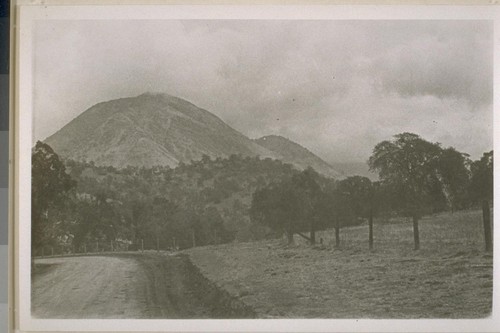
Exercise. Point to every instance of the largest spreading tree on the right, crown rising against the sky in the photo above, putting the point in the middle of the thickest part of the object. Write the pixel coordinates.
(408, 163)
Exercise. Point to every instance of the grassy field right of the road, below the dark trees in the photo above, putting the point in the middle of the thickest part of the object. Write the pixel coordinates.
(450, 277)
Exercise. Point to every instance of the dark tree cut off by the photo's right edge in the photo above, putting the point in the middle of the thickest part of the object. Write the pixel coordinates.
(481, 189)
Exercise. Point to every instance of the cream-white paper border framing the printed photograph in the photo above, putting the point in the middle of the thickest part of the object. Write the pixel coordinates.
(29, 14)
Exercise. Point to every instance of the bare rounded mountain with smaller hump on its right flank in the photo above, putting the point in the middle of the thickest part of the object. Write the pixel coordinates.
(157, 129)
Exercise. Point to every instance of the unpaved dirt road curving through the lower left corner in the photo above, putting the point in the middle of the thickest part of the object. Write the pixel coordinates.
(123, 286)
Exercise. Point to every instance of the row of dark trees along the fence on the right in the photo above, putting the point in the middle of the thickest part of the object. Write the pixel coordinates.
(416, 177)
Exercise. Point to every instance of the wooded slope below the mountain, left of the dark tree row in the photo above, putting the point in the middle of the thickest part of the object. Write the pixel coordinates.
(78, 206)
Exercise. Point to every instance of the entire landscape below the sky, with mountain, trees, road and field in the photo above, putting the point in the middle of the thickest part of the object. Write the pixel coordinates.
(150, 207)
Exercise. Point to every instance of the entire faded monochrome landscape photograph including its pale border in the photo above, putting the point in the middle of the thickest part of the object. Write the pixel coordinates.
(198, 167)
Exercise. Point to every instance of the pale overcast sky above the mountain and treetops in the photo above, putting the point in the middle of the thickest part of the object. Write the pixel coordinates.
(336, 87)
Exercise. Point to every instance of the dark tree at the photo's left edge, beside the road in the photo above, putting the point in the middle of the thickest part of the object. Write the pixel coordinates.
(50, 185)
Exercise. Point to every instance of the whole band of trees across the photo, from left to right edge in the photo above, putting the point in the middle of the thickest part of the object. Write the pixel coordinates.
(78, 206)
